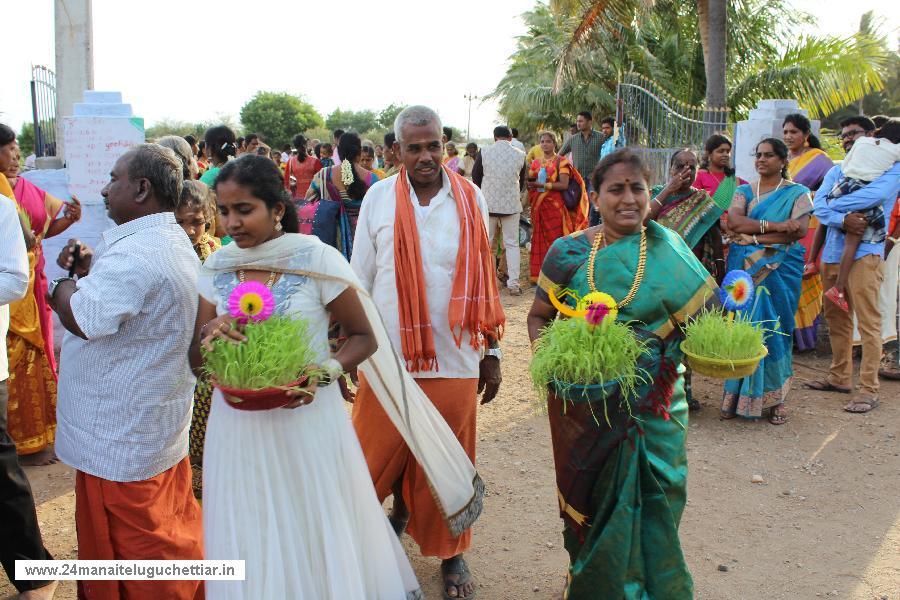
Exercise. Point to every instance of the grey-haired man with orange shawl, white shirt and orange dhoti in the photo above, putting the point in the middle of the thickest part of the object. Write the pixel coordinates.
(422, 251)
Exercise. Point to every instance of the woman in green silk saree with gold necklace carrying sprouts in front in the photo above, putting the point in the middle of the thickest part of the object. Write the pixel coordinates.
(622, 484)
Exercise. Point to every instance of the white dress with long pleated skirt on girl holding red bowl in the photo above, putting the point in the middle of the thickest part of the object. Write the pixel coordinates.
(288, 490)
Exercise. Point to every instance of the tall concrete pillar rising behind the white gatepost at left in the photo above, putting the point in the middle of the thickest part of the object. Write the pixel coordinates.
(74, 58)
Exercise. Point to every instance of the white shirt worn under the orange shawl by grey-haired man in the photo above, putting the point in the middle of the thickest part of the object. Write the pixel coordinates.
(373, 261)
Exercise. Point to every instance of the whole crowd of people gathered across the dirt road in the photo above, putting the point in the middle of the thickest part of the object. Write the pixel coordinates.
(390, 252)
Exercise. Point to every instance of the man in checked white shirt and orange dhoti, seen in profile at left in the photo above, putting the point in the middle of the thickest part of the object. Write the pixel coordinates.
(125, 386)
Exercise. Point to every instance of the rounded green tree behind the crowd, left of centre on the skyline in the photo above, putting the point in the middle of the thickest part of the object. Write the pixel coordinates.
(278, 116)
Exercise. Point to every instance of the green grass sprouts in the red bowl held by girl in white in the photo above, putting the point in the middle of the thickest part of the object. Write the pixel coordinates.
(276, 353)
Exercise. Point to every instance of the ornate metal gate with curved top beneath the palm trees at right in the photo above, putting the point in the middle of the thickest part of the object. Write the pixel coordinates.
(656, 125)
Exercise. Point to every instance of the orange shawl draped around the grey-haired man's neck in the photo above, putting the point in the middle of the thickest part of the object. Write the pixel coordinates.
(474, 302)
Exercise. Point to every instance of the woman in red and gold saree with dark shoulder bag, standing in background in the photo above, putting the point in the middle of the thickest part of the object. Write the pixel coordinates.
(554, 211)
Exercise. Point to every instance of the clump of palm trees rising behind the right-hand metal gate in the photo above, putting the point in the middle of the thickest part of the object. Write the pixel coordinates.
(575, 49)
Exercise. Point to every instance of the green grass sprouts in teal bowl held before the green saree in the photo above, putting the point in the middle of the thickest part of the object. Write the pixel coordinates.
(572, 352)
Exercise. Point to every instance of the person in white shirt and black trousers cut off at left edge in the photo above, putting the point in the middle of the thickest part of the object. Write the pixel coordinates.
(20, 535)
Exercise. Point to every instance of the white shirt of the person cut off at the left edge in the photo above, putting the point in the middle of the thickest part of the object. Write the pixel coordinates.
(13, 271)
